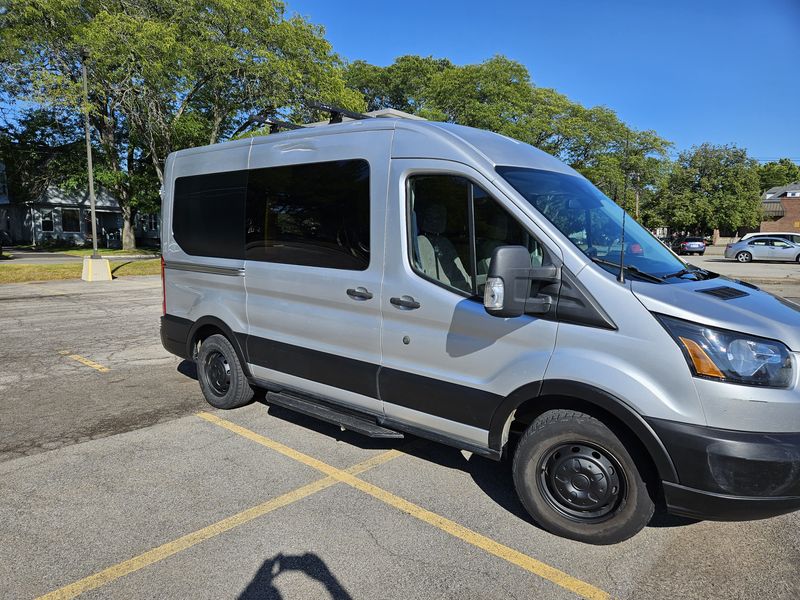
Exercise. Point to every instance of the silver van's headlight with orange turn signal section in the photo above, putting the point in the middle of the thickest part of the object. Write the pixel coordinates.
(731, 356)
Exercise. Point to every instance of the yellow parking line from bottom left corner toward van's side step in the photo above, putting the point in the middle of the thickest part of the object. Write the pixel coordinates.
(155, 555)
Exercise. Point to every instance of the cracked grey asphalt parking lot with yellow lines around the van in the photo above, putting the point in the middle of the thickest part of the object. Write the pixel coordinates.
(118, 481)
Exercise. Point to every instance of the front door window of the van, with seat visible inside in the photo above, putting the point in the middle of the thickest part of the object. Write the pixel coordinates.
(454, 227)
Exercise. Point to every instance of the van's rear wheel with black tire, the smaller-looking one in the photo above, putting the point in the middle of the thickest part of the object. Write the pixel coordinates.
(220, 374)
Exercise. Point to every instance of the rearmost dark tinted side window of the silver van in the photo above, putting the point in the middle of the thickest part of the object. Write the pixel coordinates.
(208, 214)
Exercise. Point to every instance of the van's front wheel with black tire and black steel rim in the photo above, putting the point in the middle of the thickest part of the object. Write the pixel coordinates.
(566, 442)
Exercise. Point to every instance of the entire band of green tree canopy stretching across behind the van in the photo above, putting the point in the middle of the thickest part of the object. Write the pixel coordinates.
(170, 74)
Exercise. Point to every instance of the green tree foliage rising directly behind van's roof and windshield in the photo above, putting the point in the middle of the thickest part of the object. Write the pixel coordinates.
(498, 95)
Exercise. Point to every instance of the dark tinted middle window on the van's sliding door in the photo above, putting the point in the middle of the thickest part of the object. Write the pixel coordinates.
(314, 215)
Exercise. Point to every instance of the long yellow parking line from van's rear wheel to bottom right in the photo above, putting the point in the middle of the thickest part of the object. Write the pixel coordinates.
(543, 570)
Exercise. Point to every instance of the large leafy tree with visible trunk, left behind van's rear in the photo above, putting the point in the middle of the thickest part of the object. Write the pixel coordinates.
(163, 74)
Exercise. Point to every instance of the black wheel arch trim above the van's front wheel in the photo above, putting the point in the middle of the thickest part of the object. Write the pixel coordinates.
(531, 400)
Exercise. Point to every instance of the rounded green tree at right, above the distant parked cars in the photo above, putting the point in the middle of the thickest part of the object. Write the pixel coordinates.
(712, 187)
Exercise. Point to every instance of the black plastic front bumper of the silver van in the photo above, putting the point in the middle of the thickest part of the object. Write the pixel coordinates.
(729, 475)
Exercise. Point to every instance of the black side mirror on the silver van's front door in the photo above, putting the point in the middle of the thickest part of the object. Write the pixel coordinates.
(508, 286)
